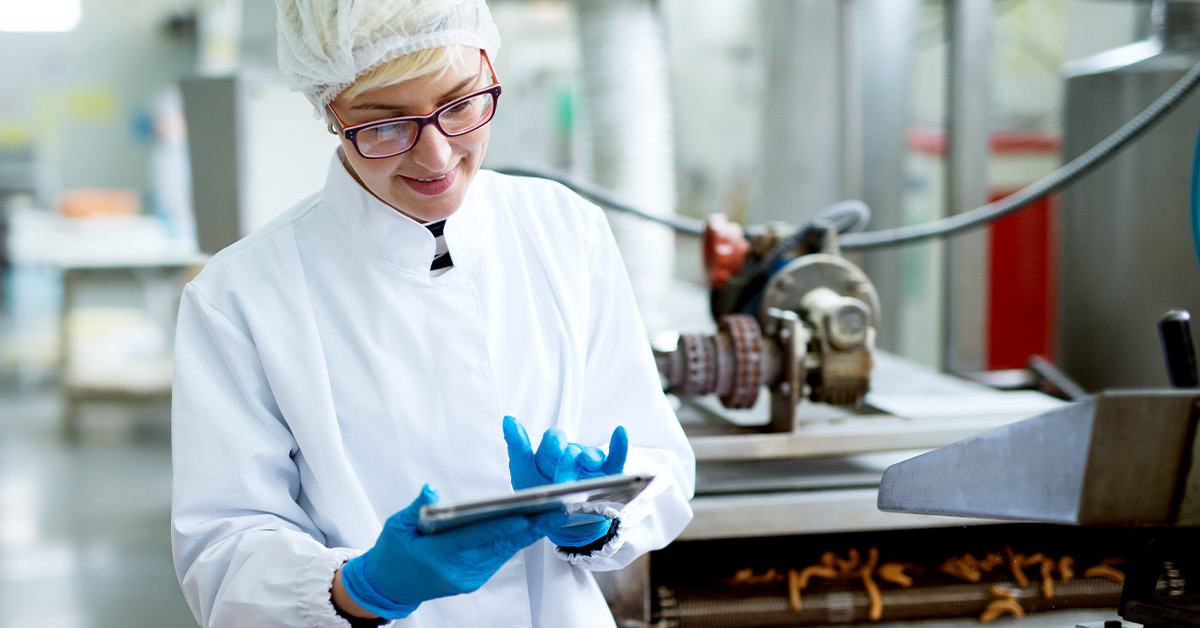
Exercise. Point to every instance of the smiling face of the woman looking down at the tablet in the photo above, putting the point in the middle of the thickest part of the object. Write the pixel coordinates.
(430, 182)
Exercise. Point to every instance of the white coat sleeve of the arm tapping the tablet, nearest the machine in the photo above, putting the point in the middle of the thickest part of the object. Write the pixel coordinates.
(622, 387)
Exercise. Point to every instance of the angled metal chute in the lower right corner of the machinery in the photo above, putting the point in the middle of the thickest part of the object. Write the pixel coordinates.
(1123, 459)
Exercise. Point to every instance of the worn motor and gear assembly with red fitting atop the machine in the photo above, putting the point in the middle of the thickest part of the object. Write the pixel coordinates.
(793, 316)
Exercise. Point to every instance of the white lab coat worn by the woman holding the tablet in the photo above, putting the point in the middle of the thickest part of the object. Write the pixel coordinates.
(322, 378)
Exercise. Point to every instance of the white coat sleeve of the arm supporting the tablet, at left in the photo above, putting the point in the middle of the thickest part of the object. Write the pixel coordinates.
(247, 553)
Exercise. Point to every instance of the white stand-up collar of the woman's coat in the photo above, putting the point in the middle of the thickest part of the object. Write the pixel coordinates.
(395, 237)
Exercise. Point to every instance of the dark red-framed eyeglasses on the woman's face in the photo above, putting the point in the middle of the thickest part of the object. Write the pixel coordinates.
(397, 136)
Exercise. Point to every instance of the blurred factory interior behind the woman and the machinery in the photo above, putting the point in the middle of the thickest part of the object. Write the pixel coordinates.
(137, 137)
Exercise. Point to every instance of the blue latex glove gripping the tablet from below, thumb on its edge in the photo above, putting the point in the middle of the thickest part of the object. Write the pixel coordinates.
(406, 569)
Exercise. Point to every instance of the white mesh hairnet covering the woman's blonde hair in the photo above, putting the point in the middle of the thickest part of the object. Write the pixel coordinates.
(326, 45)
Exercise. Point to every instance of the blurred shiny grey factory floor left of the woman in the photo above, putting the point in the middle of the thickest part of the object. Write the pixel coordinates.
(85, 528)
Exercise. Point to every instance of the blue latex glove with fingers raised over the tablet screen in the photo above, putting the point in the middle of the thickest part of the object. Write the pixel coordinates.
(559, 462)
